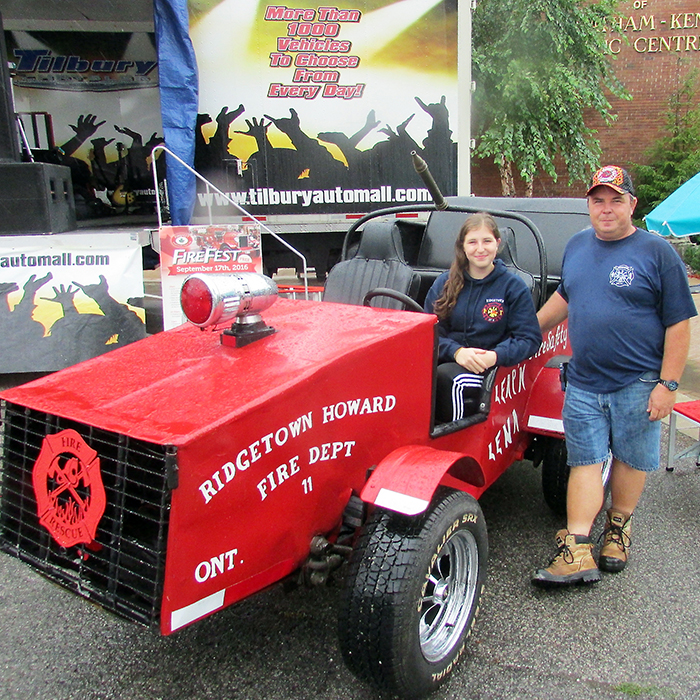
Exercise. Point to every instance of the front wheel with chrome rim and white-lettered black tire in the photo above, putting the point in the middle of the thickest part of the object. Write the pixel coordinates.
(412, 593)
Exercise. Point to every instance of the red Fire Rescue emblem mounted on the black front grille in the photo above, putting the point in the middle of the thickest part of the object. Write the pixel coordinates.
(68, 487)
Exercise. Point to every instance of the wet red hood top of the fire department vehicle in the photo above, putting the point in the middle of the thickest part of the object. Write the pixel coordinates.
(171, 387)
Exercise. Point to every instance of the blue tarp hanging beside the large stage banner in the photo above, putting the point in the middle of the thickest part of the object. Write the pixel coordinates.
(177, 70)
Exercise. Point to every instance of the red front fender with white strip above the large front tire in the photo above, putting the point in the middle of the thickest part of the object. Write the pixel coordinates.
(406, 479)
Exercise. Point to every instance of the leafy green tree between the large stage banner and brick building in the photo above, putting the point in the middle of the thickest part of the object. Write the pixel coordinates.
(538, 65)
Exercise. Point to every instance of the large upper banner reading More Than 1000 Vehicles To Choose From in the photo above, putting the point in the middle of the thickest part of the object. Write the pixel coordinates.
(316, 108)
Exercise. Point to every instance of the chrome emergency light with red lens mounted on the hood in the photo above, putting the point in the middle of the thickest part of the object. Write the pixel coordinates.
(211, 300)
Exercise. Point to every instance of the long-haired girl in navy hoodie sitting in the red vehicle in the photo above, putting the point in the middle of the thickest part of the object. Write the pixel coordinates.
(486, 318)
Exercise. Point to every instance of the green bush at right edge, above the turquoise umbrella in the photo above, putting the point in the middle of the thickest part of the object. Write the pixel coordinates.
(675, 157)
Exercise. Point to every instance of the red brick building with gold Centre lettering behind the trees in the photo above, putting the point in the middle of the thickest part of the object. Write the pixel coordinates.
(656, 44)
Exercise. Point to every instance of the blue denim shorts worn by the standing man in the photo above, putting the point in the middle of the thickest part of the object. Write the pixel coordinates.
(596, 424)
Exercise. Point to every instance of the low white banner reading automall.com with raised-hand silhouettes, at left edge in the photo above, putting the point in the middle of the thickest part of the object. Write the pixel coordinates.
(63, 299)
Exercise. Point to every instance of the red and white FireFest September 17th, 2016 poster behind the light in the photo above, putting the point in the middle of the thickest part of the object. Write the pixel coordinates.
(214, 249)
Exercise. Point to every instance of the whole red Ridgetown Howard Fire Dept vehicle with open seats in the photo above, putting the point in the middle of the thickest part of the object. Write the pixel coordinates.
(180, 474)
